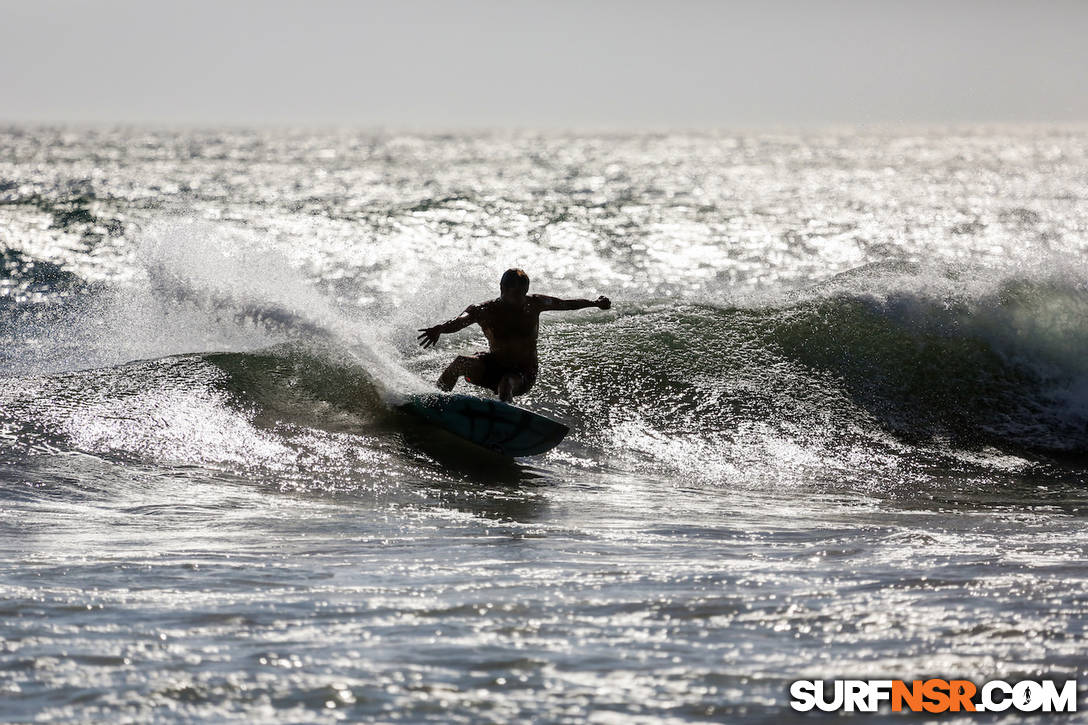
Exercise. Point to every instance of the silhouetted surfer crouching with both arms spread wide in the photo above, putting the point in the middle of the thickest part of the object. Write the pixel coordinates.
(512, 325)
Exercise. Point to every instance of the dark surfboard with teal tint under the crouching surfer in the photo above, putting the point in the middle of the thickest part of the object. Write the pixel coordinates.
(497, 426)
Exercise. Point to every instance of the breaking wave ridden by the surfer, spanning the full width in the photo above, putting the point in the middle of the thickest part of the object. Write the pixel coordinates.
(833, 368)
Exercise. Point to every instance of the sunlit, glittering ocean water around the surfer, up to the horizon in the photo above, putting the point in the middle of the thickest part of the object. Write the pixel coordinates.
(836, 423)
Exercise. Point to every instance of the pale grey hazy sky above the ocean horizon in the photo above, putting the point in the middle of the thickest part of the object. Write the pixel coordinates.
(548, 64)
